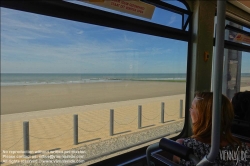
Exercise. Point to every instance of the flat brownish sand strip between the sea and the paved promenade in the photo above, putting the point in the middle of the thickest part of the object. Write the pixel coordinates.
(16, 99)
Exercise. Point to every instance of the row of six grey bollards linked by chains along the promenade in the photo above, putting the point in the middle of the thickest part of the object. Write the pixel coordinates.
(75, 127)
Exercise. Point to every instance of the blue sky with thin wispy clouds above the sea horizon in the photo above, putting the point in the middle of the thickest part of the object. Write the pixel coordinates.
(32, 43)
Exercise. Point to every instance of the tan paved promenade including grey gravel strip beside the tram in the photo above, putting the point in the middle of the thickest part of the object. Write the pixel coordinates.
(52, 129)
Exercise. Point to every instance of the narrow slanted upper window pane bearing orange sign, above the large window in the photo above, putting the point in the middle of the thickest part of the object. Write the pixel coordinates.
(145, 11)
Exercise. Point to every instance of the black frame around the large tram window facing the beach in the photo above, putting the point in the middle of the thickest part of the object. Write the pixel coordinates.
(74, 12)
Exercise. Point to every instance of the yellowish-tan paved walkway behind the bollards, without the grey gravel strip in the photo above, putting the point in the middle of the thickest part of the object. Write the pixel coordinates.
(53, 129)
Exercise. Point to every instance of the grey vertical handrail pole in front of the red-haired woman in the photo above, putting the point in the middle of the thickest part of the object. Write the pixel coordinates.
(217, 83)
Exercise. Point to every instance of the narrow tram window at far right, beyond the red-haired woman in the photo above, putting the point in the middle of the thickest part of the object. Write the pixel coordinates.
(236, 74)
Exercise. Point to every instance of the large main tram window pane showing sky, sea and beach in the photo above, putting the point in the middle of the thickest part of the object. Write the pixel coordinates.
(53, 69)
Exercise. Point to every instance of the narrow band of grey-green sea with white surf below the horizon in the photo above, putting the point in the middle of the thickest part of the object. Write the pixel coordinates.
(12, 79)
